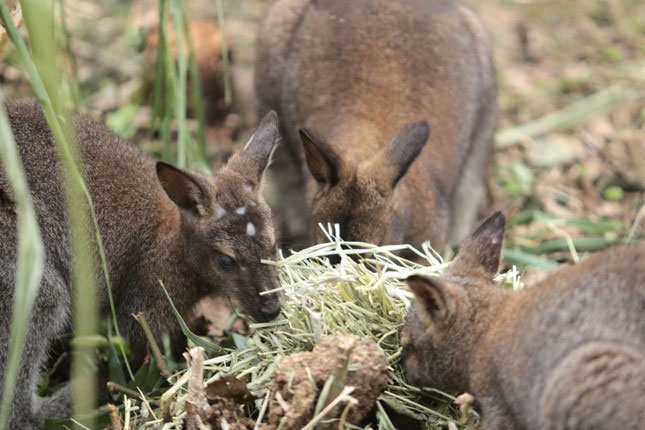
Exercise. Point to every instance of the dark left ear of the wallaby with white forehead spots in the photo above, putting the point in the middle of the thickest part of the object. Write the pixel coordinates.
(182, 188)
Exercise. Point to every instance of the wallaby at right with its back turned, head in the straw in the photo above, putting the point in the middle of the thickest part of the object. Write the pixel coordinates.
(567, 353)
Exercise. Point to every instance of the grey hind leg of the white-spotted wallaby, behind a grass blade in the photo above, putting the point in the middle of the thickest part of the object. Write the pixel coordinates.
(48, 319)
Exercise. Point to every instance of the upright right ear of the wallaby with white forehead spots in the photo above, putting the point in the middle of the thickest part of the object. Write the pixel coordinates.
(256, 154)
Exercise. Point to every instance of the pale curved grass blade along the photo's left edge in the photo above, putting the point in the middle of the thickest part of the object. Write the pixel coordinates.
(30, 257)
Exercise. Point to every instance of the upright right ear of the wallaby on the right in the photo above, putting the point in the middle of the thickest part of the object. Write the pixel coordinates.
(482, 250)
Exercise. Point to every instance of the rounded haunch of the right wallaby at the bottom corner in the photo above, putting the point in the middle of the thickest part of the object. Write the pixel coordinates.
(598, 386)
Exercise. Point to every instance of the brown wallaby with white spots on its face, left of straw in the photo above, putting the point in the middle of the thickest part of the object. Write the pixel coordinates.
(198, 234)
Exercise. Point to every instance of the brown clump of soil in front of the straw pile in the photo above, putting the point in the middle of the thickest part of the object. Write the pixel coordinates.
(298, 382)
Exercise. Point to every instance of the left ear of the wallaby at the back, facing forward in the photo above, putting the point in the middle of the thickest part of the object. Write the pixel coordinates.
(323, 162)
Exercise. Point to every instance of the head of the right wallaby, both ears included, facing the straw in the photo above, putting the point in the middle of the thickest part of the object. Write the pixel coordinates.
(443, 323)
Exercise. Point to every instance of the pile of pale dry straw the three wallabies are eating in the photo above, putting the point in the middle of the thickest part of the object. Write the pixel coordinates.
(364, 295)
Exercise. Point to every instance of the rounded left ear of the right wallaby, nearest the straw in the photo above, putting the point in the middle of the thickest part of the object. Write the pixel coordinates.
(435, 297)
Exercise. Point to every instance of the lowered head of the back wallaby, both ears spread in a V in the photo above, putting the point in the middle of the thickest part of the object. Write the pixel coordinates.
(358, 195)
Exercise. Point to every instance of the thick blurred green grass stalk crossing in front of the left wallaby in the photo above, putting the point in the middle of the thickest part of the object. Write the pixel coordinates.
(41, 65)
